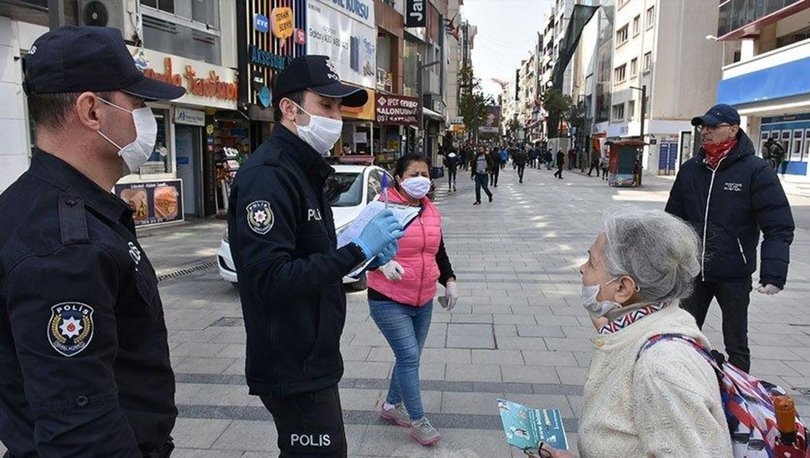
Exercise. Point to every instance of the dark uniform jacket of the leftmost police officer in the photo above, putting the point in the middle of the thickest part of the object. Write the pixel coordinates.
(84, 360)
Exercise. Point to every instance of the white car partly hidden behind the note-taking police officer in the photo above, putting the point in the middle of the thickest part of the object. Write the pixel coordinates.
(352, 187)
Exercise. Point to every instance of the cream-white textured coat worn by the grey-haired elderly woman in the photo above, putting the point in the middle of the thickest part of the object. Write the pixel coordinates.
(666, 404)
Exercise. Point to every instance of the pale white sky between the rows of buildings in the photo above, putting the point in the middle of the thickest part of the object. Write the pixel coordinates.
(507, 32)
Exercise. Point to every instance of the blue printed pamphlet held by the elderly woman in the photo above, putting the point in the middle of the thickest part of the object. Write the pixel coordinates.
(525, 427)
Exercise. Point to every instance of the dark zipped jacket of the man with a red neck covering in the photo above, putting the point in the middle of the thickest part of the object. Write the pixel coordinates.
(743, 197)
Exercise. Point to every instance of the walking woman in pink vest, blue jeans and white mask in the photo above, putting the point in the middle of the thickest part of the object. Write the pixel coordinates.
(400, 296)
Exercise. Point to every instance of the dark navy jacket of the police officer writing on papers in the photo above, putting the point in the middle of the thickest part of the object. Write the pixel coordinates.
(282, 238)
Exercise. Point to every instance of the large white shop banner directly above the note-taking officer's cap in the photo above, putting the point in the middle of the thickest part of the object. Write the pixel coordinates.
(344, 30)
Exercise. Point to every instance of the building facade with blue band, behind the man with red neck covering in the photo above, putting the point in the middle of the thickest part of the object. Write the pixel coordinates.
(766, 53)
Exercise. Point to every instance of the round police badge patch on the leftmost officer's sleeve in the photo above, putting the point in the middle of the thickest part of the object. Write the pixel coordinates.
(70, 328)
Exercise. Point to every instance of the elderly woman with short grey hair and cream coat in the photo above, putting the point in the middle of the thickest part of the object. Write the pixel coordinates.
(664, 401)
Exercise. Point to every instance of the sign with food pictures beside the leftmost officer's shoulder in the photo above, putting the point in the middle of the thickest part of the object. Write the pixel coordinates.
(153, 202)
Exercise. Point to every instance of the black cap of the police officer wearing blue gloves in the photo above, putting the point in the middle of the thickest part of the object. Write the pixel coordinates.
(317, 74)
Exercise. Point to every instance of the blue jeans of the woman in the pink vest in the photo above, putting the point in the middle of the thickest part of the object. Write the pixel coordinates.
(405, 328)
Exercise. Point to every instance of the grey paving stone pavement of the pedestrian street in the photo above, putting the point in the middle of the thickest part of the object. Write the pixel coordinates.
(518, 332)
